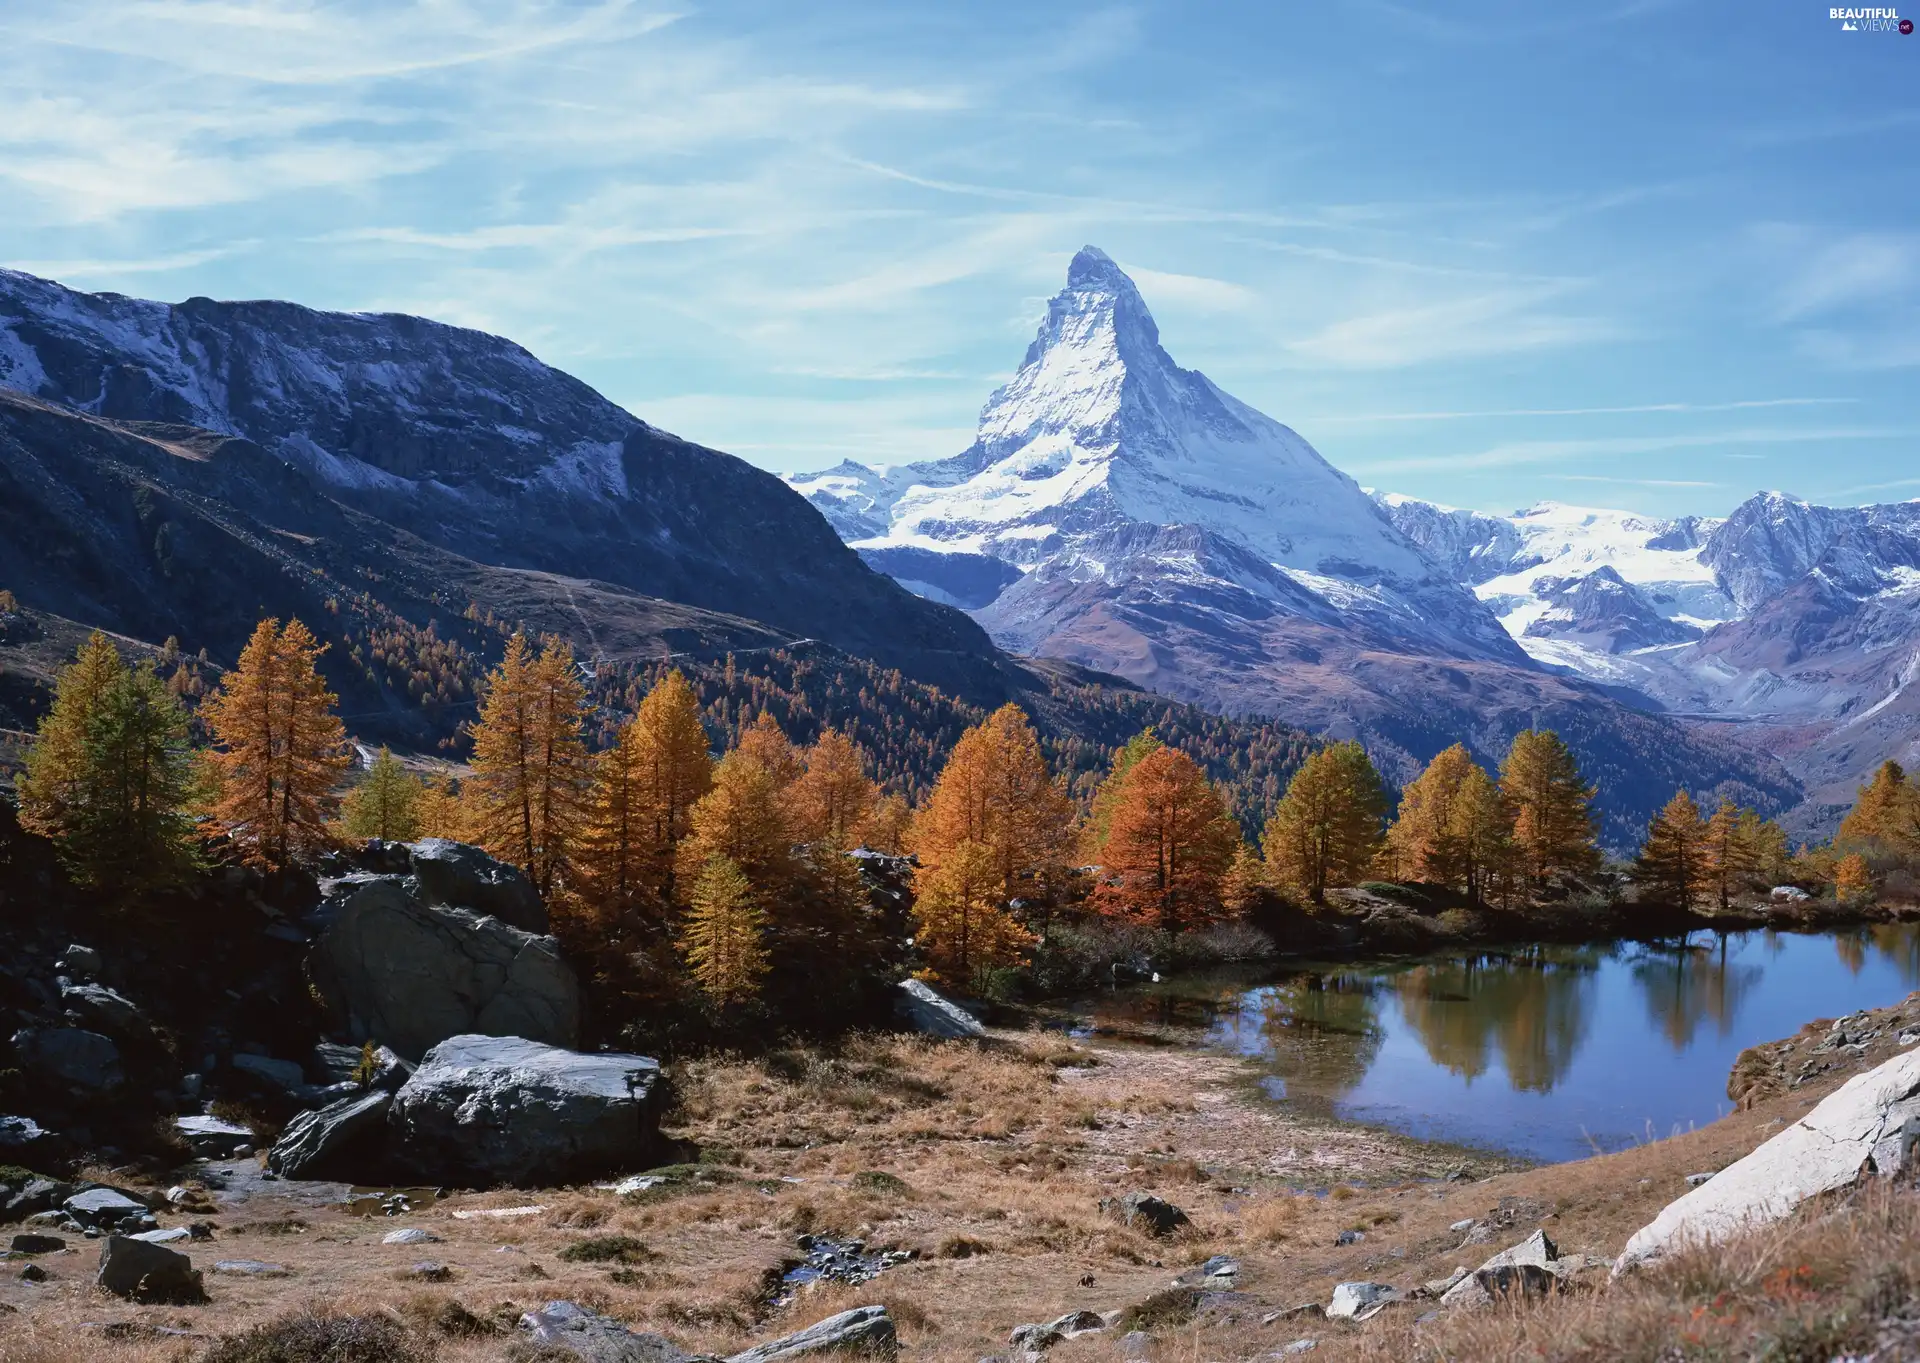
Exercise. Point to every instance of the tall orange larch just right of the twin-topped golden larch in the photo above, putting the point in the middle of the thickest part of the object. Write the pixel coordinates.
(642, 805)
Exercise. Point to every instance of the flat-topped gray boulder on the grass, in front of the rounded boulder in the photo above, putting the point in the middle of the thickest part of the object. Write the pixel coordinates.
(504, 1111)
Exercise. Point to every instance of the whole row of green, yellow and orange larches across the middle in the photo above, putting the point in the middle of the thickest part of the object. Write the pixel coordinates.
(669, 869)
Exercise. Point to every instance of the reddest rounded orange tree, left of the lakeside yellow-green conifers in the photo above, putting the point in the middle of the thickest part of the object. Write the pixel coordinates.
(1170, 842)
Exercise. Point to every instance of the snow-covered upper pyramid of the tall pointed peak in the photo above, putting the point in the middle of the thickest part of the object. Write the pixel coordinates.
(1107, 467)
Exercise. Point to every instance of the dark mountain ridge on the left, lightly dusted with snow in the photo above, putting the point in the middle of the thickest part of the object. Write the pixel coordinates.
(439, 439)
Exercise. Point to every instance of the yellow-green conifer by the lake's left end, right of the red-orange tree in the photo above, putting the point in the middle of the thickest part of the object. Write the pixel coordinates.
(1326, 830)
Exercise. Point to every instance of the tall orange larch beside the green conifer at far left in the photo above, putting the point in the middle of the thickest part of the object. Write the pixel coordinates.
(281, 748)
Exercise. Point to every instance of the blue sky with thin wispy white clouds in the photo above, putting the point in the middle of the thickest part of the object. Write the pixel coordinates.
(1643, 254)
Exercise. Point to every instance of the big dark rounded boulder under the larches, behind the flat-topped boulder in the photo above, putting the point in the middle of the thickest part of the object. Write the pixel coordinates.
(412, 974)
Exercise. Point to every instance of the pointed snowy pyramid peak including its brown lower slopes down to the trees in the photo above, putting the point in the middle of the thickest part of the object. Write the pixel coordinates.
(1126, 514)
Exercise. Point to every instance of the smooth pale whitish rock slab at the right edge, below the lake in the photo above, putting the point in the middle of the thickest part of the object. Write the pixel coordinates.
(1869, 1126)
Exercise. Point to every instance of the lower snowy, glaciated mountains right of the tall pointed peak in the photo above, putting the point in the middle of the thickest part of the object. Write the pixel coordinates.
(1796, 621)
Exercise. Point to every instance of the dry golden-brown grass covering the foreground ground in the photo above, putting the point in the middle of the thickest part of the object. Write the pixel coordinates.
(994, 1164)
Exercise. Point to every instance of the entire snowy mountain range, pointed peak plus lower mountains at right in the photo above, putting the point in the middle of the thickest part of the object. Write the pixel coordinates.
(1126, 514)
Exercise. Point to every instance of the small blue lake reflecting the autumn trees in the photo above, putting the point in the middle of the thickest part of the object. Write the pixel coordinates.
(1547, 1051)
